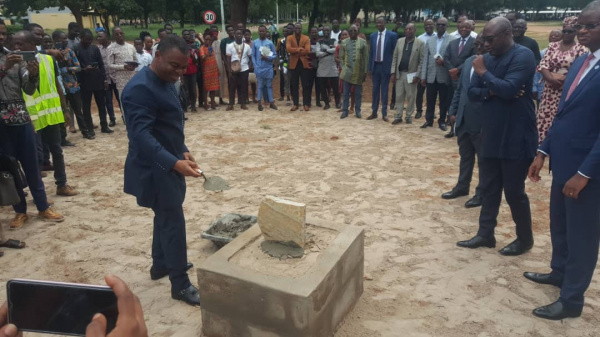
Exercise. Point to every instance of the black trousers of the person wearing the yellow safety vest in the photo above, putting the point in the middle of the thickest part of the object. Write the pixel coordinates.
(49, 138)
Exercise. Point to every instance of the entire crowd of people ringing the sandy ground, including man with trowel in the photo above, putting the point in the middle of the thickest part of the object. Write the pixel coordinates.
(486, 87)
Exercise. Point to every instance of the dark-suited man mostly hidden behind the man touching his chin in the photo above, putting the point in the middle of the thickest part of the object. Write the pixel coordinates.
(465, 115)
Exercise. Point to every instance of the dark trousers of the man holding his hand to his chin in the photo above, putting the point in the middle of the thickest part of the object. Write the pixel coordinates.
(497, 175)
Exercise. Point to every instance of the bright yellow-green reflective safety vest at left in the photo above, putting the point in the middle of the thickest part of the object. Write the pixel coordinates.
(44, 105)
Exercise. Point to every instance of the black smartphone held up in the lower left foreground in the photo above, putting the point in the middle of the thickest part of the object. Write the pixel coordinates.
(58, 308)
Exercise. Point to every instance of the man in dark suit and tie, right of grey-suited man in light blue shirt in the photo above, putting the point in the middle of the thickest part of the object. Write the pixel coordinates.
(457, 52)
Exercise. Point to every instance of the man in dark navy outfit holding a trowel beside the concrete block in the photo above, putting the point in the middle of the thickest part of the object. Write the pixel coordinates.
(158, 161)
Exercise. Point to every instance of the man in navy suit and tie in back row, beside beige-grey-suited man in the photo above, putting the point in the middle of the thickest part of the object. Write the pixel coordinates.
(383, 44)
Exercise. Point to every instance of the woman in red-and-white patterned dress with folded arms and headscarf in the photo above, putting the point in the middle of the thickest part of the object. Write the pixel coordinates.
(554, 67)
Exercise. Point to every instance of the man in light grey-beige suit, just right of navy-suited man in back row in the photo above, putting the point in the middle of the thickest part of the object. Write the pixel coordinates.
(407, 61)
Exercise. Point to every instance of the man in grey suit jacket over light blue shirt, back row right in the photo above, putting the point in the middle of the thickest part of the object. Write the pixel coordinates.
(435, 74)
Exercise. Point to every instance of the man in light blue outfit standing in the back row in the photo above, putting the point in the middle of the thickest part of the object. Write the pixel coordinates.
(263, 66)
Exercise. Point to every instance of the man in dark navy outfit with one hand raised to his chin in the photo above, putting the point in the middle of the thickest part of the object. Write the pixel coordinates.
(508, 134)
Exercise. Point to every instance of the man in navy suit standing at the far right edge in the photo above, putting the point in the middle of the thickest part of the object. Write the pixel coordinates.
(573, 145)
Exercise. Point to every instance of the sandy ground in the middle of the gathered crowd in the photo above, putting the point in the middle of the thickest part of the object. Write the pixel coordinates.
(349, 172)
